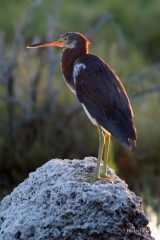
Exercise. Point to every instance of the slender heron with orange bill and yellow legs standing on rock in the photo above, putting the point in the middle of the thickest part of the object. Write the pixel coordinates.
(100, 92)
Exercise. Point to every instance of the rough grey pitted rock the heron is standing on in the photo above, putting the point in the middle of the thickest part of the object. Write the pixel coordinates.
(54, 204)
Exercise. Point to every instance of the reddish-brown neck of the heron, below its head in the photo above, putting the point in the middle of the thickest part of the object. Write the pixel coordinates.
(69, 56)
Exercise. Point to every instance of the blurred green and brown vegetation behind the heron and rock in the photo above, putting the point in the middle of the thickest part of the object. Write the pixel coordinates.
(41, 119)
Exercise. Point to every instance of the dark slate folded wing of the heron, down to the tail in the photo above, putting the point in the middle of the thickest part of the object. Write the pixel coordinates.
(103, 95)
